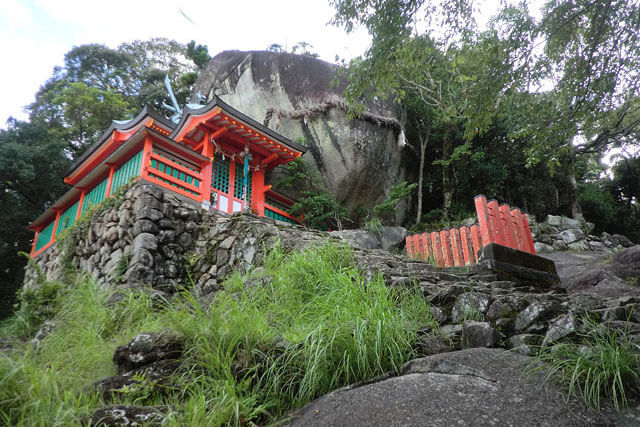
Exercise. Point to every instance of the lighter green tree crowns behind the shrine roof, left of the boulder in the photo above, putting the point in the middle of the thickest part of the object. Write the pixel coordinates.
(98, 84)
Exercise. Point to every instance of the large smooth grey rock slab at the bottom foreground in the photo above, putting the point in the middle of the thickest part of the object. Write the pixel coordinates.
(478, 386)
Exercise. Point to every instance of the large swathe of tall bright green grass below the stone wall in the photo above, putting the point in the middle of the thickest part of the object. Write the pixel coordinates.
(266, 345)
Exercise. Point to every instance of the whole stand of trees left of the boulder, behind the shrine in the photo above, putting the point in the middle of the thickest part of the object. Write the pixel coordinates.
(72, 109)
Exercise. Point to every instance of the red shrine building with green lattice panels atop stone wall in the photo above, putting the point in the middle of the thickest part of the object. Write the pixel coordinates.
(214, 155)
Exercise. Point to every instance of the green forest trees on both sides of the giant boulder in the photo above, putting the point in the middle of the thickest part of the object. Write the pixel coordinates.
(524, 110)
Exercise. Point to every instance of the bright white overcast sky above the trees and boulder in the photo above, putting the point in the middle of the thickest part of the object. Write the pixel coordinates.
(35, 34)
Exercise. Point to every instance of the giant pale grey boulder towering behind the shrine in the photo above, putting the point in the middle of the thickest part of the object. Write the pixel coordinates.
(359, 159)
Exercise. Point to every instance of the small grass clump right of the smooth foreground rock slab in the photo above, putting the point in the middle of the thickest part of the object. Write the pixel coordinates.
(603, 364)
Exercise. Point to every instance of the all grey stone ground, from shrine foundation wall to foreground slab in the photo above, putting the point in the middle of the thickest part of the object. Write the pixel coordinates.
(467, 377)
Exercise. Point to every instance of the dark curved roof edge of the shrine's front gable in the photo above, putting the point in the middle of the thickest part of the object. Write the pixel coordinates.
(190, 113)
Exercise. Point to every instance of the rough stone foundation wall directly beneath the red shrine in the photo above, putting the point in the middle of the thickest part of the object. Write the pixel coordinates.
(152, 237)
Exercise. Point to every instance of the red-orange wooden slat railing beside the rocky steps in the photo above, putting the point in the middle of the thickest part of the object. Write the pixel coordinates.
(456, 247)
